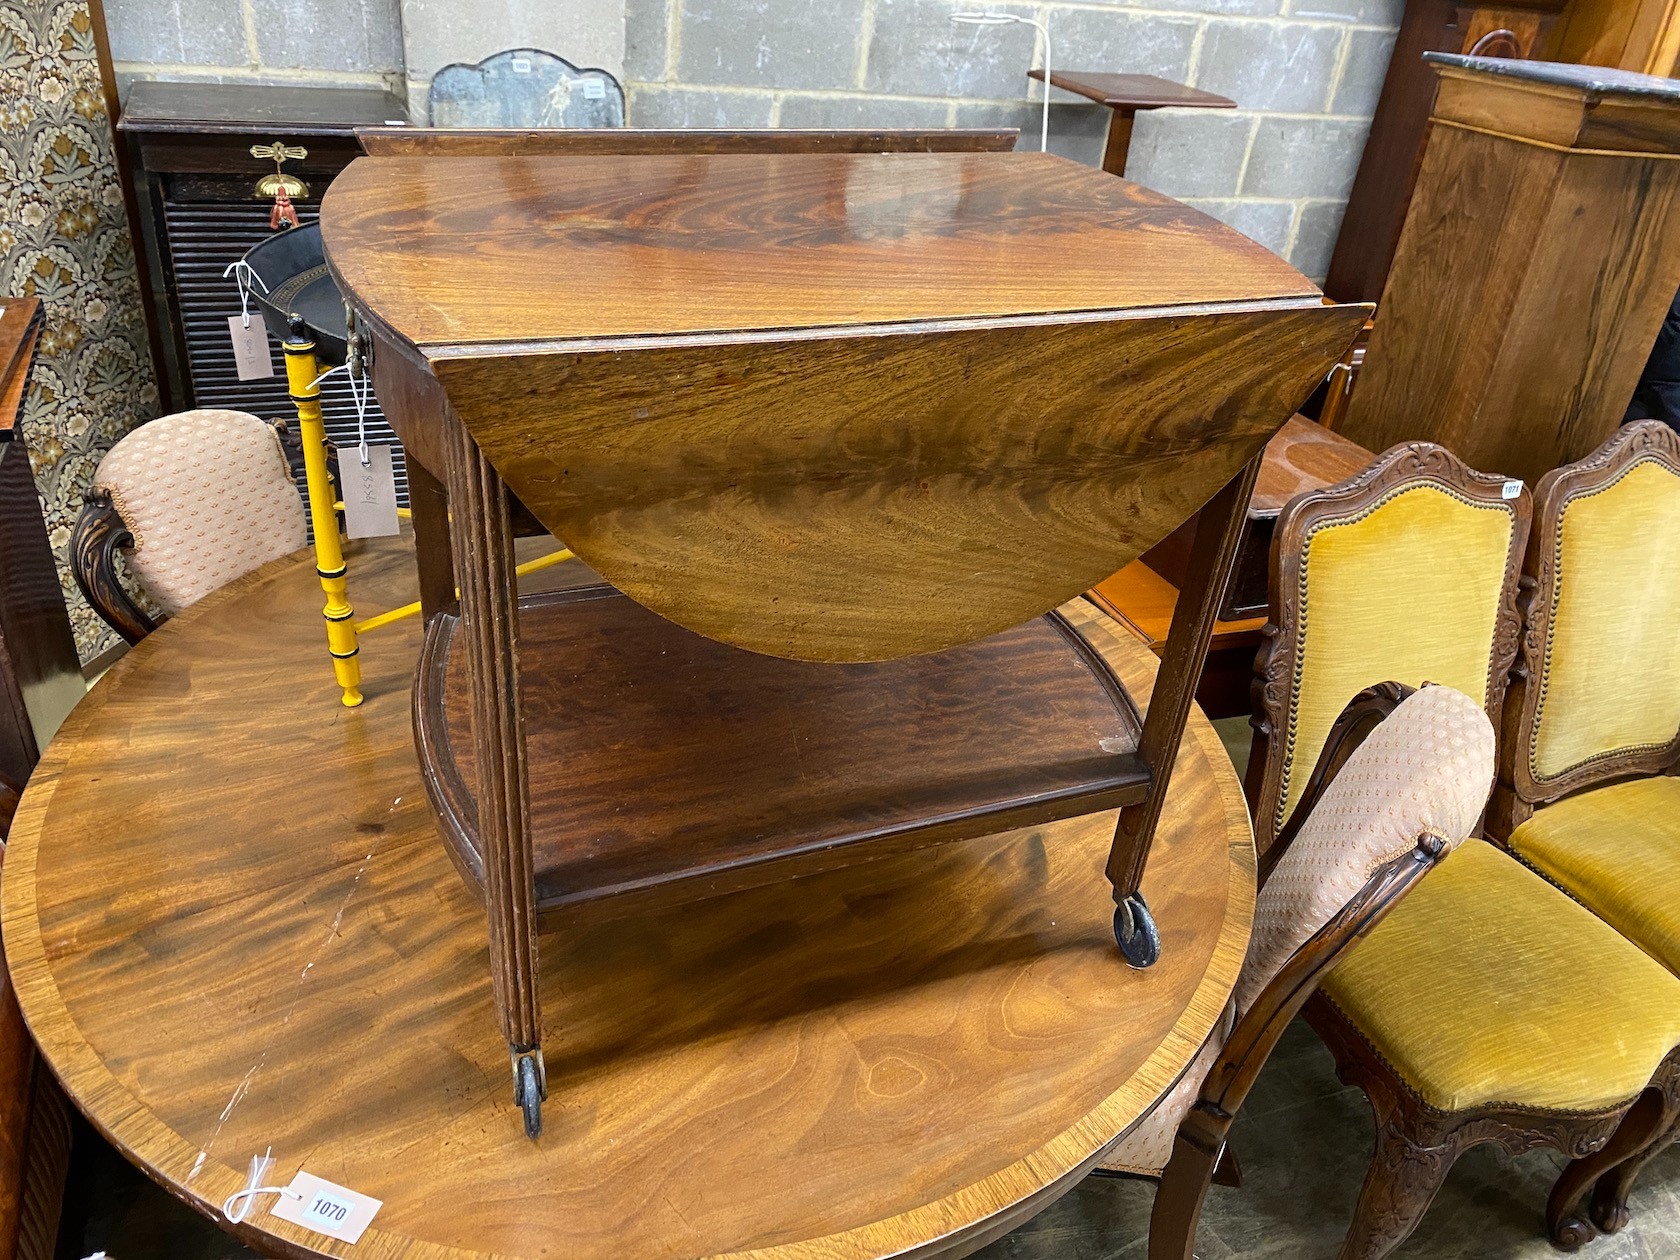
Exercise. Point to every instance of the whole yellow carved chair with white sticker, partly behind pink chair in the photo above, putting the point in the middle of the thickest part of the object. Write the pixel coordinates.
(1488, 1007)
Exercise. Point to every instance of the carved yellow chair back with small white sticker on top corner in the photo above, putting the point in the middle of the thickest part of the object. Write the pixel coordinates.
(1407, 572)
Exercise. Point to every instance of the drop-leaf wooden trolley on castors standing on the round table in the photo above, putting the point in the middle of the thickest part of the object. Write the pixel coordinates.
(841, 431)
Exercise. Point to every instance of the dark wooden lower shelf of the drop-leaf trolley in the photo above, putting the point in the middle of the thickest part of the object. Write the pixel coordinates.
(675, 767)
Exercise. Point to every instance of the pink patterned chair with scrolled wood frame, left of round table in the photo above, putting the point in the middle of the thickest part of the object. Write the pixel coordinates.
(194, 500)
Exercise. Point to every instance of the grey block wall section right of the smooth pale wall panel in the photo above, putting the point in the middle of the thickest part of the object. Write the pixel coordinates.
(1305, 75)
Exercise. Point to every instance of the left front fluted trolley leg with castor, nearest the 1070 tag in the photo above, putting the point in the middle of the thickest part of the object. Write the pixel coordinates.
(490, 631)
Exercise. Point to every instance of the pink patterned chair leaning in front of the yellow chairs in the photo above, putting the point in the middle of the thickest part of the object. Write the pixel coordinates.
(1402, 780)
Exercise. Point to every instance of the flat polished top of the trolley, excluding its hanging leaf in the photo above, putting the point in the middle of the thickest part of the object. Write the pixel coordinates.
(483, 251)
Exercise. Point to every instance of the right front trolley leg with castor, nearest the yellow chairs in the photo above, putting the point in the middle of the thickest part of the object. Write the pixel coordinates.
(1219, 533)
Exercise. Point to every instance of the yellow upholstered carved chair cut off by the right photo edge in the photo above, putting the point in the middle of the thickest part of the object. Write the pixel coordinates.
(1588, 790)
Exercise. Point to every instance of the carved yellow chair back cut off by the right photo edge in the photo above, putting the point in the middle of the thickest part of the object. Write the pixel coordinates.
(1597, 693)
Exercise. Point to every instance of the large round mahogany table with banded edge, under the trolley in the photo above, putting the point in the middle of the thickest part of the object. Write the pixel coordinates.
(233, 928)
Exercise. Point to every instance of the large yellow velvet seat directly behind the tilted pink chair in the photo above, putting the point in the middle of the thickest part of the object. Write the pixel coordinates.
(1488, 985)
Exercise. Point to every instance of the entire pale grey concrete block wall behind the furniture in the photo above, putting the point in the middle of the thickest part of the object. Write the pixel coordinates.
(1305, 73)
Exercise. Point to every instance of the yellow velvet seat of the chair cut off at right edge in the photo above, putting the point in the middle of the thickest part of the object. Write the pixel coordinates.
(1619, 853)
